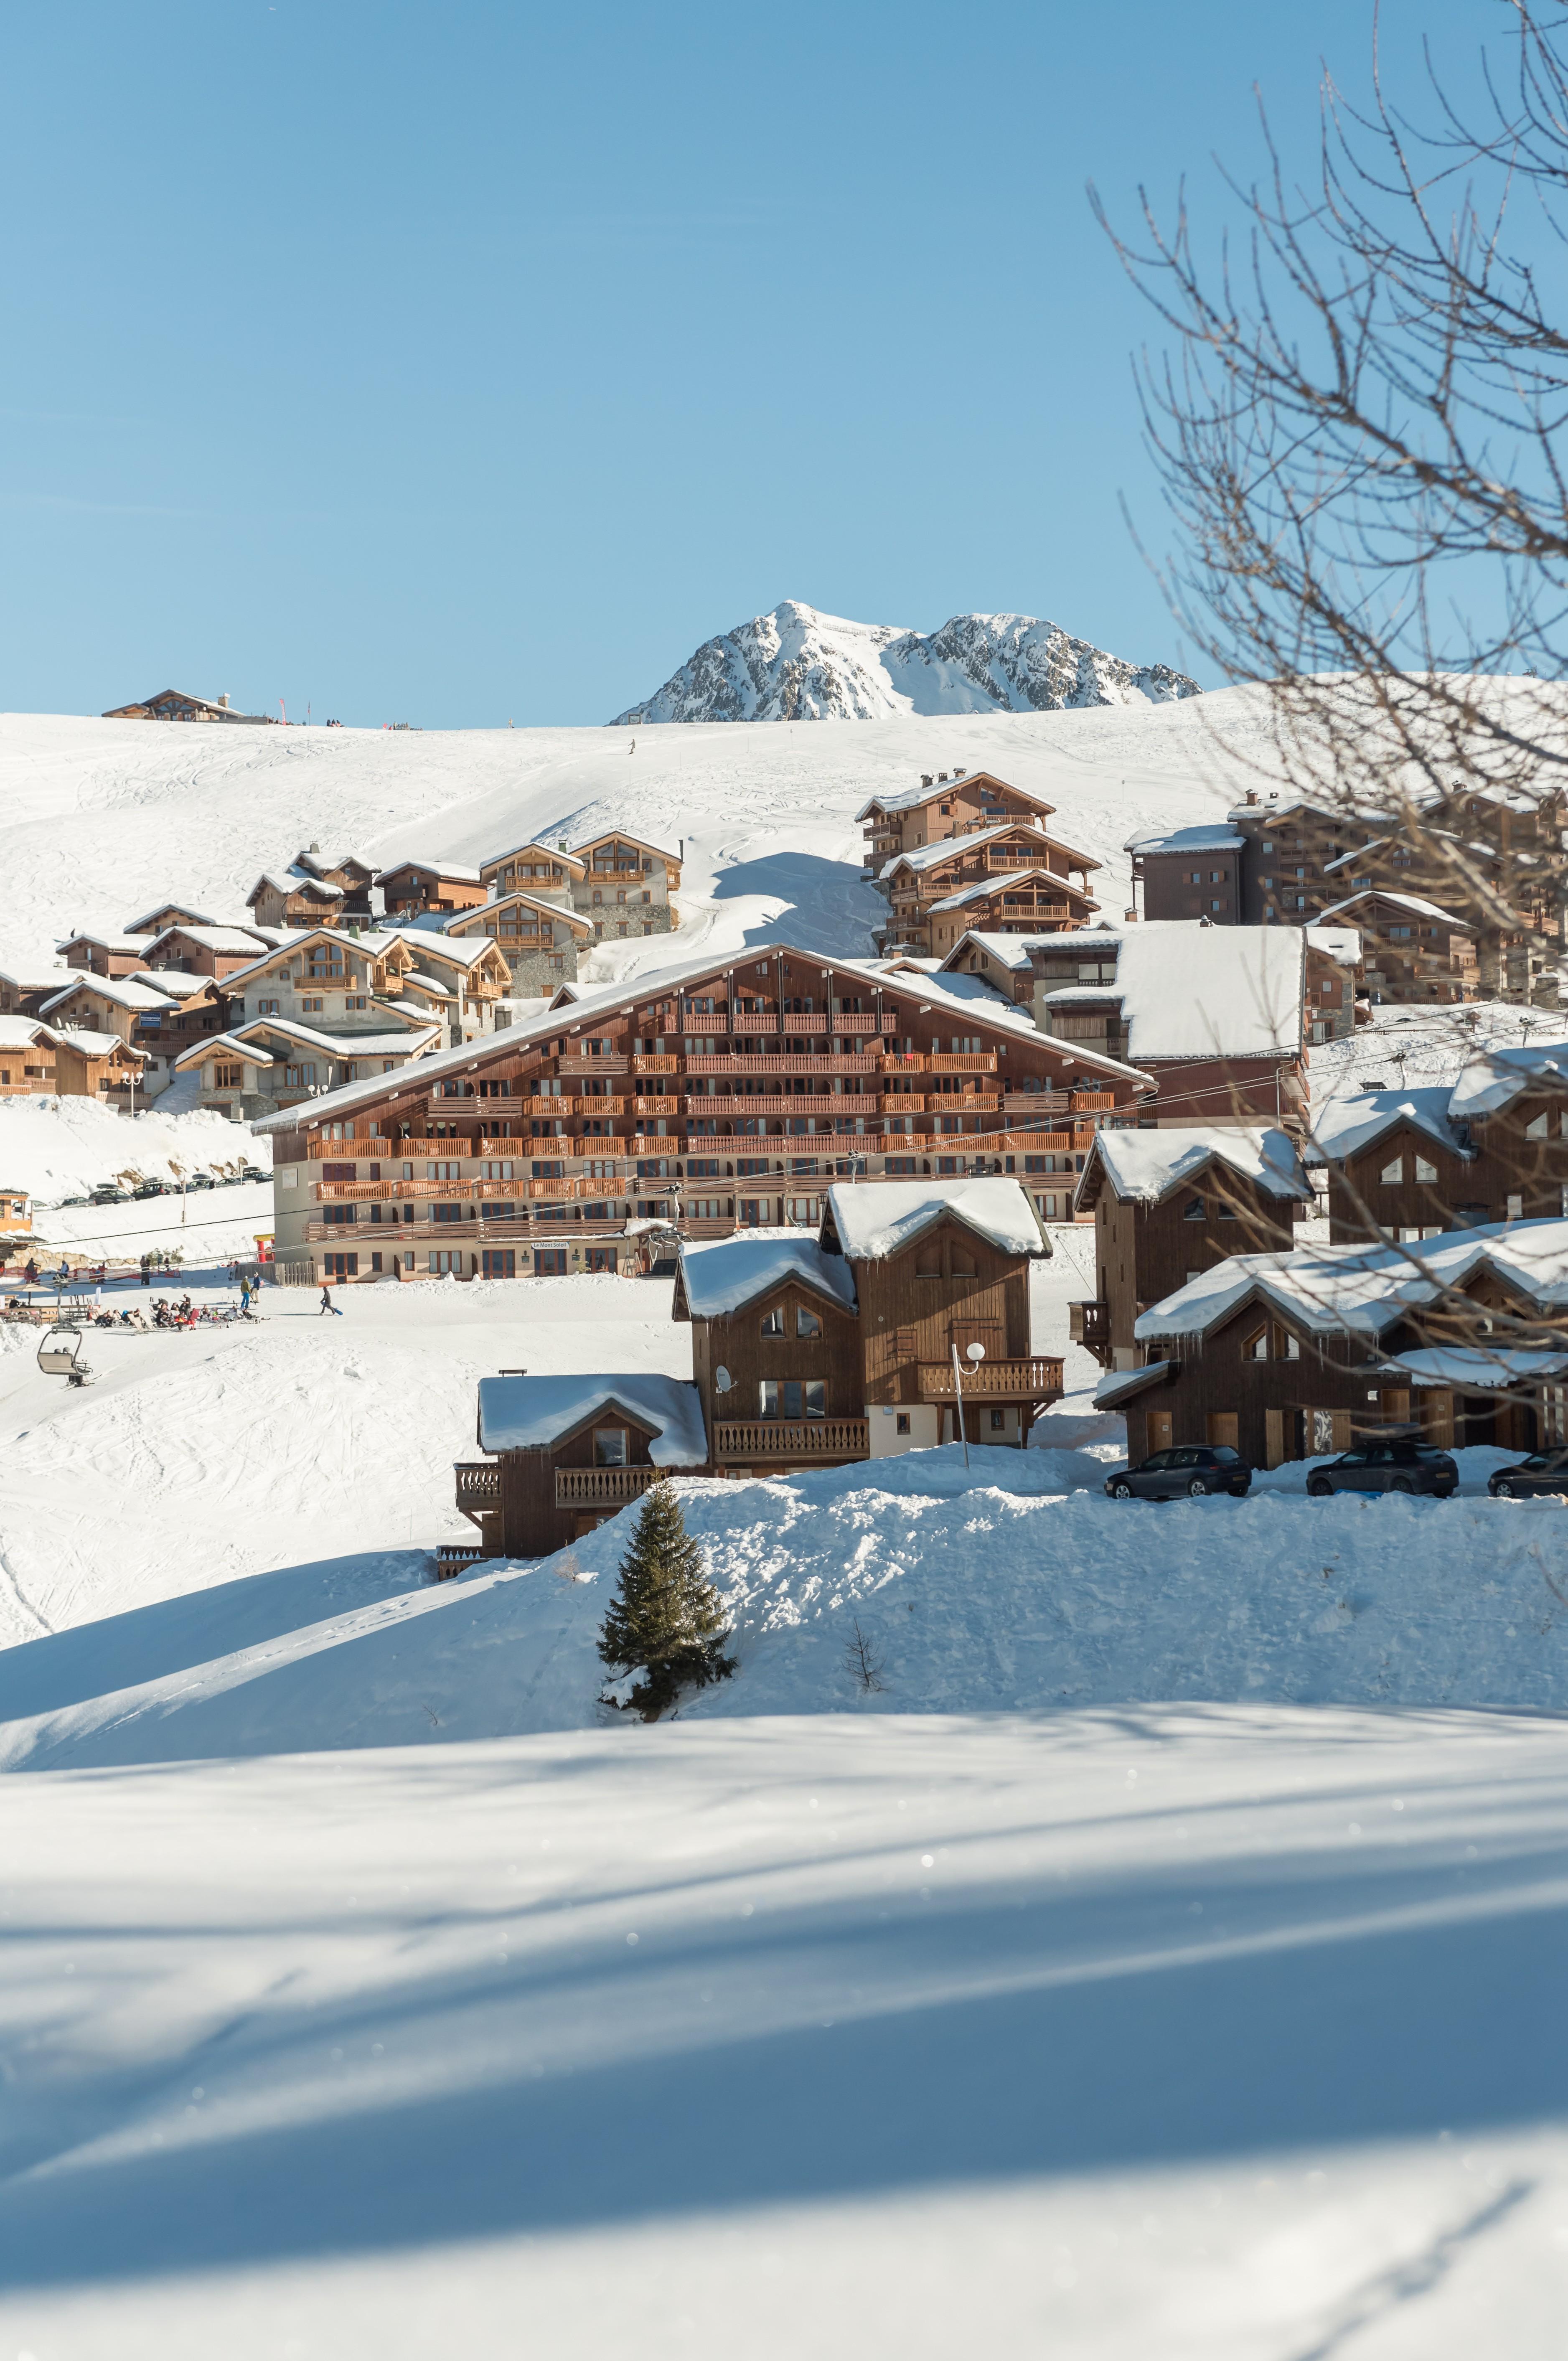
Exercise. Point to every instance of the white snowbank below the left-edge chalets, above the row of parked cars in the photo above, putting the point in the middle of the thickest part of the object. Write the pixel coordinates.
(67, 1146)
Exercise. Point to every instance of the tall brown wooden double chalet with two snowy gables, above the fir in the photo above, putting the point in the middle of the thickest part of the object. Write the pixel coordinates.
(816, 1352)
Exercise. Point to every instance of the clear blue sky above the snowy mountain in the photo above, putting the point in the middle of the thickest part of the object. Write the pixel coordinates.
(471, 362)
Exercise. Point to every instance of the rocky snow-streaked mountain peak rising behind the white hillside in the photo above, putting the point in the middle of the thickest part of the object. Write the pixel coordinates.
(799, 665)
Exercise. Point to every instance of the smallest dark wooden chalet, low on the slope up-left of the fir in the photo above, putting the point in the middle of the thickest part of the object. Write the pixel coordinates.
(563, 1453)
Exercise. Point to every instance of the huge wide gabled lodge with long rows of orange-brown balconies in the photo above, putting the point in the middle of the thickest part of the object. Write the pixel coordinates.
(724, 1092)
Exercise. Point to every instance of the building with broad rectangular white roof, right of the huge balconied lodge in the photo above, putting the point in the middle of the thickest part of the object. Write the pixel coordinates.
(1215, 1016)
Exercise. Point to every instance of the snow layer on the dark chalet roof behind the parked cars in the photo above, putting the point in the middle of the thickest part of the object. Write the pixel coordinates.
(1364, 1290)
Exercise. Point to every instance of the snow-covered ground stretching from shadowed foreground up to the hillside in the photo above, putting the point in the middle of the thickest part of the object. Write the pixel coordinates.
(1163, 1956)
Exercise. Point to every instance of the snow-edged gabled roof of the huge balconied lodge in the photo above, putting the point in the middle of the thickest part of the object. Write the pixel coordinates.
(582, 1007)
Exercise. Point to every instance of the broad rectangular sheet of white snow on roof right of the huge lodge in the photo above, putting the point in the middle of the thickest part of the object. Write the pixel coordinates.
(1208, 990)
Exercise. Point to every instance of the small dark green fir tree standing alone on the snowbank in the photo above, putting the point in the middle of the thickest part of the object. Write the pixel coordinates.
(665, 1621)
